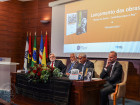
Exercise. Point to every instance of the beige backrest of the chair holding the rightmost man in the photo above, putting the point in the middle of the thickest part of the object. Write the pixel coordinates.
(125, 70)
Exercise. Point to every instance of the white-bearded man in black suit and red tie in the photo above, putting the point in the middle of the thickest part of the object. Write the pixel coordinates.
(56, 63)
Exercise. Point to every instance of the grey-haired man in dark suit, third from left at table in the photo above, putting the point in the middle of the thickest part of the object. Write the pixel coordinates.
(84, 63)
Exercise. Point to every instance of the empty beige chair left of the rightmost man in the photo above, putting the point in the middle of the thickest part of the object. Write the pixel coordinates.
(98, 67)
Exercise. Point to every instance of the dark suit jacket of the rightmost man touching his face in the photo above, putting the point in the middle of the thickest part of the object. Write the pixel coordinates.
(116, 75)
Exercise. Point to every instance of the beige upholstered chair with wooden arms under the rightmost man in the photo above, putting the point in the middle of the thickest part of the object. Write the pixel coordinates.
(121, 87)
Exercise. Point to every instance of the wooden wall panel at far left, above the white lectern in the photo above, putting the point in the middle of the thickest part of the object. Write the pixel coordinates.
(11, 29)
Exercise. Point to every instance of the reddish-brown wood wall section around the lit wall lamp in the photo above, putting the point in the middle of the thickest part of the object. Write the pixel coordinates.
(35, 11)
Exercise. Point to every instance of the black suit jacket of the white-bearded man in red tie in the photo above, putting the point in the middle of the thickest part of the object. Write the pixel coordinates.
(59, 64)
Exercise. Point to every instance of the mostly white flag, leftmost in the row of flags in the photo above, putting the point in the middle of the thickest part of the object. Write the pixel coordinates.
(26, 55)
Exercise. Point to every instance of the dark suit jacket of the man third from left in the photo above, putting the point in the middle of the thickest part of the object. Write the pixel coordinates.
(88, 64)
